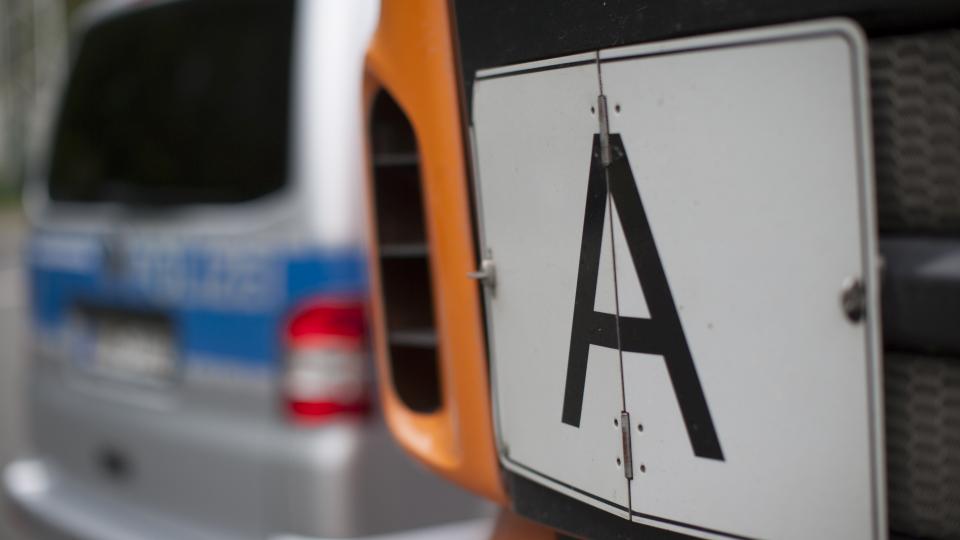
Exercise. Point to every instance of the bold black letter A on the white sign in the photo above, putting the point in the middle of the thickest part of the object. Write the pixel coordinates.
(661, 334)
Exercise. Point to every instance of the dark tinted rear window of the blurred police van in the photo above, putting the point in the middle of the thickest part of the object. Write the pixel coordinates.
(183, 102)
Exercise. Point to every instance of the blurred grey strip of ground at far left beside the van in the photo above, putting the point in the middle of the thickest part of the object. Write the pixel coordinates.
(13, 441)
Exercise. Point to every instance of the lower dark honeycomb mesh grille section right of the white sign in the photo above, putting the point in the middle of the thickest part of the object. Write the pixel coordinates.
(923, 445)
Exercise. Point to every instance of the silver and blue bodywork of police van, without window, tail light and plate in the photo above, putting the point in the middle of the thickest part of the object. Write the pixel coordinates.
(208, 452)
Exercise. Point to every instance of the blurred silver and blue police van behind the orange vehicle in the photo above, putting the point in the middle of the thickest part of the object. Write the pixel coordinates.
(197, 283)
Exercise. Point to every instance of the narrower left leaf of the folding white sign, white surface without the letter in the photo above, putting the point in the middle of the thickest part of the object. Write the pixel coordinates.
(543, 145)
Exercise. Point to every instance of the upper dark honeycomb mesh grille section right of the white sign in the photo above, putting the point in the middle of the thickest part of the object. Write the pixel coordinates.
(915, 86)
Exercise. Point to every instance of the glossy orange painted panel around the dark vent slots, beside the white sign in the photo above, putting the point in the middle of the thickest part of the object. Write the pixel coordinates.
(411, 57)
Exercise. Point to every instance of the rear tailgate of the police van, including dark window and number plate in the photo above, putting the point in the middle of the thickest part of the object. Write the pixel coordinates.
(165, 258)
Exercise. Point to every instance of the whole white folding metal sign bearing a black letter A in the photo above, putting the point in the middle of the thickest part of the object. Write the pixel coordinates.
(742, 201)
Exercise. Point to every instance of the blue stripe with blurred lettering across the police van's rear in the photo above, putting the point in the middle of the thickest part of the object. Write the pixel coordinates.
(227, 305)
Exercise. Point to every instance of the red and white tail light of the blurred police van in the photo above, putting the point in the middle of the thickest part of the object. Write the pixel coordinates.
(326, 371)
